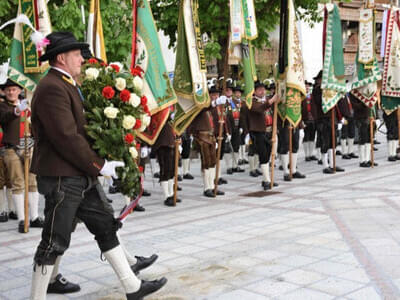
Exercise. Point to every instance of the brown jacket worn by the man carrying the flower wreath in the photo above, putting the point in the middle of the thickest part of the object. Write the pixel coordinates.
(58, 125)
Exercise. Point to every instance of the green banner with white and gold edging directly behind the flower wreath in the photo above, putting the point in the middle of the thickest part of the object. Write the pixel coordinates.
(149, 58)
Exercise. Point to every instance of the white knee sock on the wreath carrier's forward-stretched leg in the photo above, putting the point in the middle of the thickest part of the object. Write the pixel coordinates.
(122, 269)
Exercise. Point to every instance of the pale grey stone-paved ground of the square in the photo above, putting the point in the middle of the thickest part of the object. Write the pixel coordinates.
(323, 237)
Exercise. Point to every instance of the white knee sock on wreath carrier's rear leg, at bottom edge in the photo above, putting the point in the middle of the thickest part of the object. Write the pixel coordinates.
(40, 281)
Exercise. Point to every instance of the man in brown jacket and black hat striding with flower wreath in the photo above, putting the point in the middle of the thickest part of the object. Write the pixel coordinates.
(67, 168)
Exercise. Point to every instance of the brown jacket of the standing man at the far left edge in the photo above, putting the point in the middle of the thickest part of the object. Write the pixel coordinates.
(10, 124)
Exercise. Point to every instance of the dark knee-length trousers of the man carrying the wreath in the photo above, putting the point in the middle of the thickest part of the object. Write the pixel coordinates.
(68, 198)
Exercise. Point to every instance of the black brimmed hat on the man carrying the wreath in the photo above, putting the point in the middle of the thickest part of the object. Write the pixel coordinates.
(61, 42)
